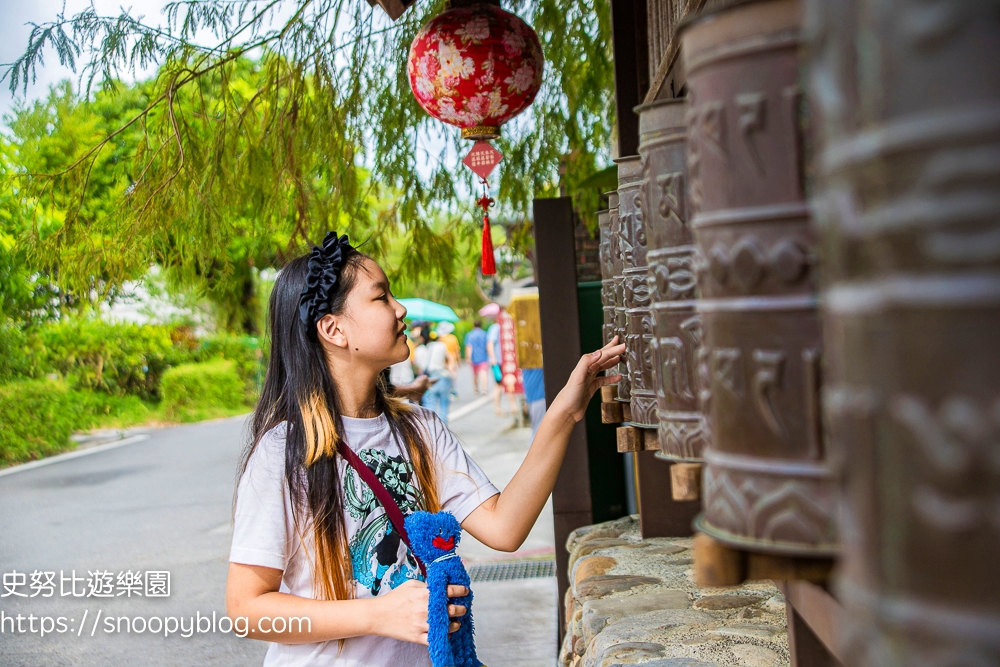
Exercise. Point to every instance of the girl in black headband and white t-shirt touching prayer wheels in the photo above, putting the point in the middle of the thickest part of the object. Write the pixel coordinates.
(310, 540)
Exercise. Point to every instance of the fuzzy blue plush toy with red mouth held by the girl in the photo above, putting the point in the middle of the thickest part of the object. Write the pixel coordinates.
(433, 538)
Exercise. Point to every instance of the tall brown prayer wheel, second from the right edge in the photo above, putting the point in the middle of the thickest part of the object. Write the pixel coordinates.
(767, 482)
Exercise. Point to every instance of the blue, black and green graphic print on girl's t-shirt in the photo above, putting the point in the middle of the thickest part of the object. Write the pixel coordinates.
(375, 546)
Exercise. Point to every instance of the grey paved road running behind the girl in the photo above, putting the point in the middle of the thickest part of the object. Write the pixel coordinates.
(164, 504)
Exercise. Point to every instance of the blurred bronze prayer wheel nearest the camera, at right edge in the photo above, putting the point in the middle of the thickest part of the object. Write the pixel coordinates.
(909, 207)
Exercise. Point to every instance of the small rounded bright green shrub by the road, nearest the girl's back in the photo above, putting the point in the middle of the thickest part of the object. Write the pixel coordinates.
(192, 392)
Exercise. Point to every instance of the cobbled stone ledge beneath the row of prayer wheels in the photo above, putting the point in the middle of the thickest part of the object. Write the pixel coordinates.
(634, 602)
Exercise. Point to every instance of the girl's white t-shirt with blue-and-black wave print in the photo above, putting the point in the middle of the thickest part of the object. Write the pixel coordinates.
(263, 533)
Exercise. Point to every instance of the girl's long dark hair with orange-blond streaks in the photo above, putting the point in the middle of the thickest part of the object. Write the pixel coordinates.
(299, 390)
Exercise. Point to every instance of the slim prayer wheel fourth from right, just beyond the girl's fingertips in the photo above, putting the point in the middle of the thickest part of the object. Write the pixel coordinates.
(638, 316)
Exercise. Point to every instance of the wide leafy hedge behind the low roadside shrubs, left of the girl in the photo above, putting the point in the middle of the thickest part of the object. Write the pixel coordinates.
(115, 358)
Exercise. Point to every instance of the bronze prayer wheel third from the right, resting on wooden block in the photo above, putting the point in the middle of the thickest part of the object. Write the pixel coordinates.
(671, 278)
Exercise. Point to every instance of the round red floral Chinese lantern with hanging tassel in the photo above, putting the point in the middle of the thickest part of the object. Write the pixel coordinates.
(476, 67)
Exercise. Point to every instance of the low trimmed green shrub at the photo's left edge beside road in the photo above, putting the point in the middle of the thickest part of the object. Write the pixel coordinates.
(36, 420)
